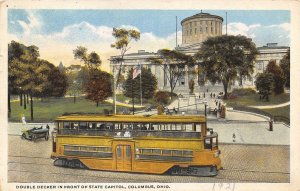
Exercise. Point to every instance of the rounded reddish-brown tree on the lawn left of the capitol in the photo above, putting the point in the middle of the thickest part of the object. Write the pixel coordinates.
(99, 86)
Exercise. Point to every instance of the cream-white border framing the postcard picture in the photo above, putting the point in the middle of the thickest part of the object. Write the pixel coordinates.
(293, 6)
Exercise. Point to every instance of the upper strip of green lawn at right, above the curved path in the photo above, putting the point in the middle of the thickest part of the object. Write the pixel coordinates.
(253, 100)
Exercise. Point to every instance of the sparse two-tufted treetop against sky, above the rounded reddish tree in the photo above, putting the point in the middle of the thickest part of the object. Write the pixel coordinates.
(91, 60)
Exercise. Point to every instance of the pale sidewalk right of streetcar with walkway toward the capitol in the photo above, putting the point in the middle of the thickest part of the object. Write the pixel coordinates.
(237, 127)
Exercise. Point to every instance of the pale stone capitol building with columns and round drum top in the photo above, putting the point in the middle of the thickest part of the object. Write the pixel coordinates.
(195, 30)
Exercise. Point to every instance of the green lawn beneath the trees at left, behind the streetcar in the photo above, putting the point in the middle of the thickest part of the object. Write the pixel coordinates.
(47, 110)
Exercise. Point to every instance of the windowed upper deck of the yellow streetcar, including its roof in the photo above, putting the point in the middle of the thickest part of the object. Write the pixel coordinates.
(132, 126)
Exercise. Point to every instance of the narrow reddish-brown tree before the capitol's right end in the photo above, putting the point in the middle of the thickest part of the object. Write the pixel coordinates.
(278, 77)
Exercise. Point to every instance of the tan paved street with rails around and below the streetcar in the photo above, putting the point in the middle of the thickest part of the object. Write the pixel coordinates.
(30, 162)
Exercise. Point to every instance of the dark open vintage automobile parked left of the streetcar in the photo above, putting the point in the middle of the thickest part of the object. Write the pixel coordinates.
(35, 133)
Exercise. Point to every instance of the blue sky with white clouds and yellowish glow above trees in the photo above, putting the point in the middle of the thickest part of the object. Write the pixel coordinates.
(58, 32)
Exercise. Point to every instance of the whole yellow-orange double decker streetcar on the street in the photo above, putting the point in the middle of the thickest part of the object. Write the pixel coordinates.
(179, 145)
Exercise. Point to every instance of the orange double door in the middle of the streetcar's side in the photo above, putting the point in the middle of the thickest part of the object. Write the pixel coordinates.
(124, 157)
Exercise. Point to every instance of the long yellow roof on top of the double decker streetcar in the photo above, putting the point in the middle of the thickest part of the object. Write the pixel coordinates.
(134, 118)
